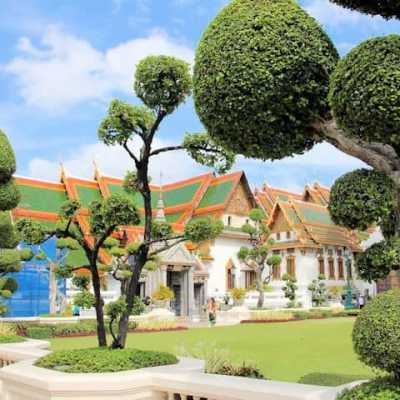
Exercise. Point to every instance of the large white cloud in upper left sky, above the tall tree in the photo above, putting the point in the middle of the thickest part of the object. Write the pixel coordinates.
(65, 70)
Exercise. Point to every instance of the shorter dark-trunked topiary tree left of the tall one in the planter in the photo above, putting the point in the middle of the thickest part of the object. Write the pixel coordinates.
(104, 218)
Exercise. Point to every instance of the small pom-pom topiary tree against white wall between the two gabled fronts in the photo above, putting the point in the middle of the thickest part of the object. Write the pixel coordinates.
(256, 255)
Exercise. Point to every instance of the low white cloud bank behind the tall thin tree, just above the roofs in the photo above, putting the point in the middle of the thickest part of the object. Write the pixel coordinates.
(114, 161)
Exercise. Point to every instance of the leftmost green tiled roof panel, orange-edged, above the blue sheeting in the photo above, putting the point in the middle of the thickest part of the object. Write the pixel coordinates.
(41, 199)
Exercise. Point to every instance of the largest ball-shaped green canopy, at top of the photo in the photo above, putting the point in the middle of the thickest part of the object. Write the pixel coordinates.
(261, 77)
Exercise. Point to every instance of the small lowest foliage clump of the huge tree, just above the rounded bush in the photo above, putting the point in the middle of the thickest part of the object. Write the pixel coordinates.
(378, 260)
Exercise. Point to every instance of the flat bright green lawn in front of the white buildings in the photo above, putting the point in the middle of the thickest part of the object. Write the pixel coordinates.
(317, 351)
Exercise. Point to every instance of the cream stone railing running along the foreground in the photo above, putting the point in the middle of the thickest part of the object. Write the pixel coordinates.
(185, 381)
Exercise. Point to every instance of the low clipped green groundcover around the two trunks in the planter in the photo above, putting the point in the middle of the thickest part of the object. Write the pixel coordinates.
(104, 360)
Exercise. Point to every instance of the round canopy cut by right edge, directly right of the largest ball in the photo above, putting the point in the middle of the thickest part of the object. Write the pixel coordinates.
(364, 91)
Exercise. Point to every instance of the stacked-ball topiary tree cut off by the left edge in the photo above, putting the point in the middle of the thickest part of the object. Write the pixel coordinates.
(10, 258)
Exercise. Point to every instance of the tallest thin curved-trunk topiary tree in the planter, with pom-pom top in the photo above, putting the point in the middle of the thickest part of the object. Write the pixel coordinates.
(162, 83)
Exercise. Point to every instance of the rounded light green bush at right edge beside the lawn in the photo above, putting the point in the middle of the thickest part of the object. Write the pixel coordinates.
(376, 333)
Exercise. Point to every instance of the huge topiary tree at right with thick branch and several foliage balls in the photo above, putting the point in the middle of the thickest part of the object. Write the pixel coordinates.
(268, 83)
